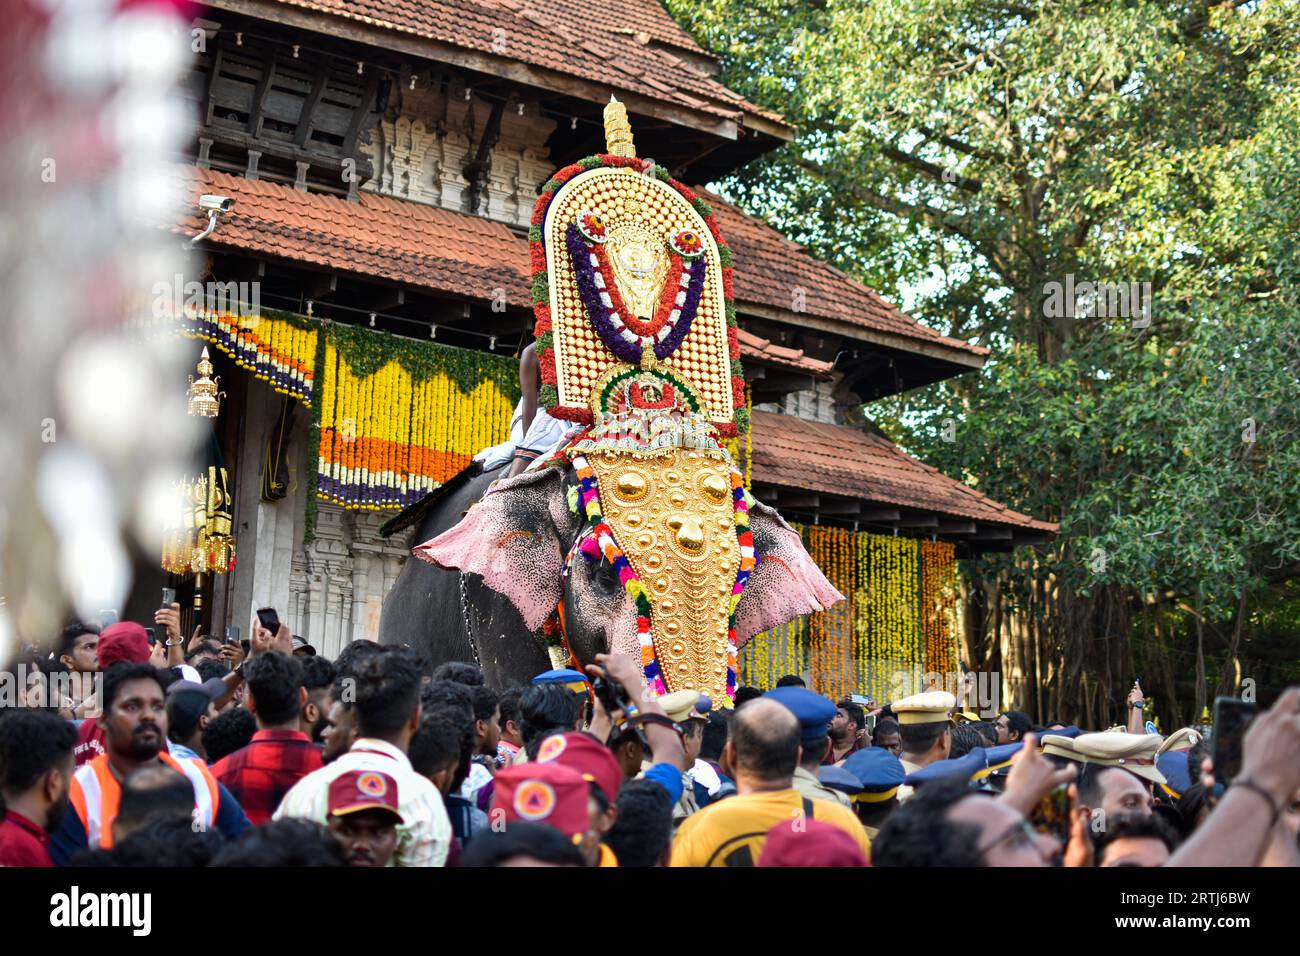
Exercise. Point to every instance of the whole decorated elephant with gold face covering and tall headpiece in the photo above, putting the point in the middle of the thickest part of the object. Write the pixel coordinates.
(636, 535)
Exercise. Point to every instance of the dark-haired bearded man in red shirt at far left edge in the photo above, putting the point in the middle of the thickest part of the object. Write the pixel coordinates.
(36, 773)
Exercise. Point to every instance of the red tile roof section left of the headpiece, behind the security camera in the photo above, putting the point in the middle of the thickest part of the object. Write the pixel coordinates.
(378, 236)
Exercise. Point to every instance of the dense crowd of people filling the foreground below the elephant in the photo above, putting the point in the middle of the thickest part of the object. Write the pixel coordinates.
(218, 754)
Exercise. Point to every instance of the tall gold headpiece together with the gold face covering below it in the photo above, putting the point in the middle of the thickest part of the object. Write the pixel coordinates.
(636, 336)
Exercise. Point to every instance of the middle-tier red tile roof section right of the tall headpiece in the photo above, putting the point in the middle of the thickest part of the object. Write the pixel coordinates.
(772, 269)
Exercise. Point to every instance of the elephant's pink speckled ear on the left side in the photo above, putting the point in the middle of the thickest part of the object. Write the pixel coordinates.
(513, 539)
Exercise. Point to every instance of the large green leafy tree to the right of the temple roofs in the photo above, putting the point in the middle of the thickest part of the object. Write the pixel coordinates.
(977, 158)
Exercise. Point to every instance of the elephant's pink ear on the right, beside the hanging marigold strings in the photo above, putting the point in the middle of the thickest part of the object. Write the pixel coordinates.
(786, 583)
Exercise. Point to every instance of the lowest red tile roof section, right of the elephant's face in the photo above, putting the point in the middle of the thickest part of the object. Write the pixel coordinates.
(850, 462)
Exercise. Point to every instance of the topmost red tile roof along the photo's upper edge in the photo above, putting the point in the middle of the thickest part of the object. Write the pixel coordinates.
(534, 36)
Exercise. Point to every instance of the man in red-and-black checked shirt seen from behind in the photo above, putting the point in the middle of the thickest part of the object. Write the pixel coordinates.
(280, 755)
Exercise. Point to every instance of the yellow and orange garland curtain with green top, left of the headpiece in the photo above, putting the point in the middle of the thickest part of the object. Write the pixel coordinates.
(395, 418)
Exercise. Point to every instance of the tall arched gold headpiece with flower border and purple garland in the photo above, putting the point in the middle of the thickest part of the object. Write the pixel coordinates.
(632, 275)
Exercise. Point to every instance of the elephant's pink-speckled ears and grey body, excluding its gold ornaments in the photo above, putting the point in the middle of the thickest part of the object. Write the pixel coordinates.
(489, 585)
